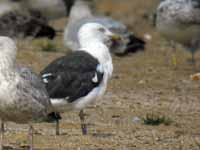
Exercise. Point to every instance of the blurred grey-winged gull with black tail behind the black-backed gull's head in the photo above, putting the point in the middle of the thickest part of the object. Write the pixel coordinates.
(81, 13)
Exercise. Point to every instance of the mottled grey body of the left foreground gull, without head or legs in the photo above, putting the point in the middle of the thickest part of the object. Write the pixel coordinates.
(25, 99)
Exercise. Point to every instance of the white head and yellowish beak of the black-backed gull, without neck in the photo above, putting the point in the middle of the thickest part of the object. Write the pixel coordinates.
(95, 32)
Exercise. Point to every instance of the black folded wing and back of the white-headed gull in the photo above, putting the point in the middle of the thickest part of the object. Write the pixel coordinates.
(72, 76)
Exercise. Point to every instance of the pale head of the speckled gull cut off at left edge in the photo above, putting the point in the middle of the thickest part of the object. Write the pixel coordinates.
(8, 50)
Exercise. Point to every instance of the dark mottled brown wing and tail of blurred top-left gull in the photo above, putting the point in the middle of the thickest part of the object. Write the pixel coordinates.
(19, 24)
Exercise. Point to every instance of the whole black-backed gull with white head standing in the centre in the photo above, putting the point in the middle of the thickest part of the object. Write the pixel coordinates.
(76, 80)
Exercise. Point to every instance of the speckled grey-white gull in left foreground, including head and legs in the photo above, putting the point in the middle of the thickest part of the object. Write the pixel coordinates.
(23, 97)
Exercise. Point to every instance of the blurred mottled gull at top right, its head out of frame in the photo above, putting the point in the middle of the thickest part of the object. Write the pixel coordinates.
(179, 21)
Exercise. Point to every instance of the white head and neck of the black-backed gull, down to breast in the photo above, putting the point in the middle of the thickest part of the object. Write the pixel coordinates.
(96, 39)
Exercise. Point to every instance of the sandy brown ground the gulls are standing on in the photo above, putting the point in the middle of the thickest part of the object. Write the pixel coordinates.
(143, 83)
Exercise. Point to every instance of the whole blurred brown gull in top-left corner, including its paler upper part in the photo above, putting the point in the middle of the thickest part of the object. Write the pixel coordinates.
(17, 21)
